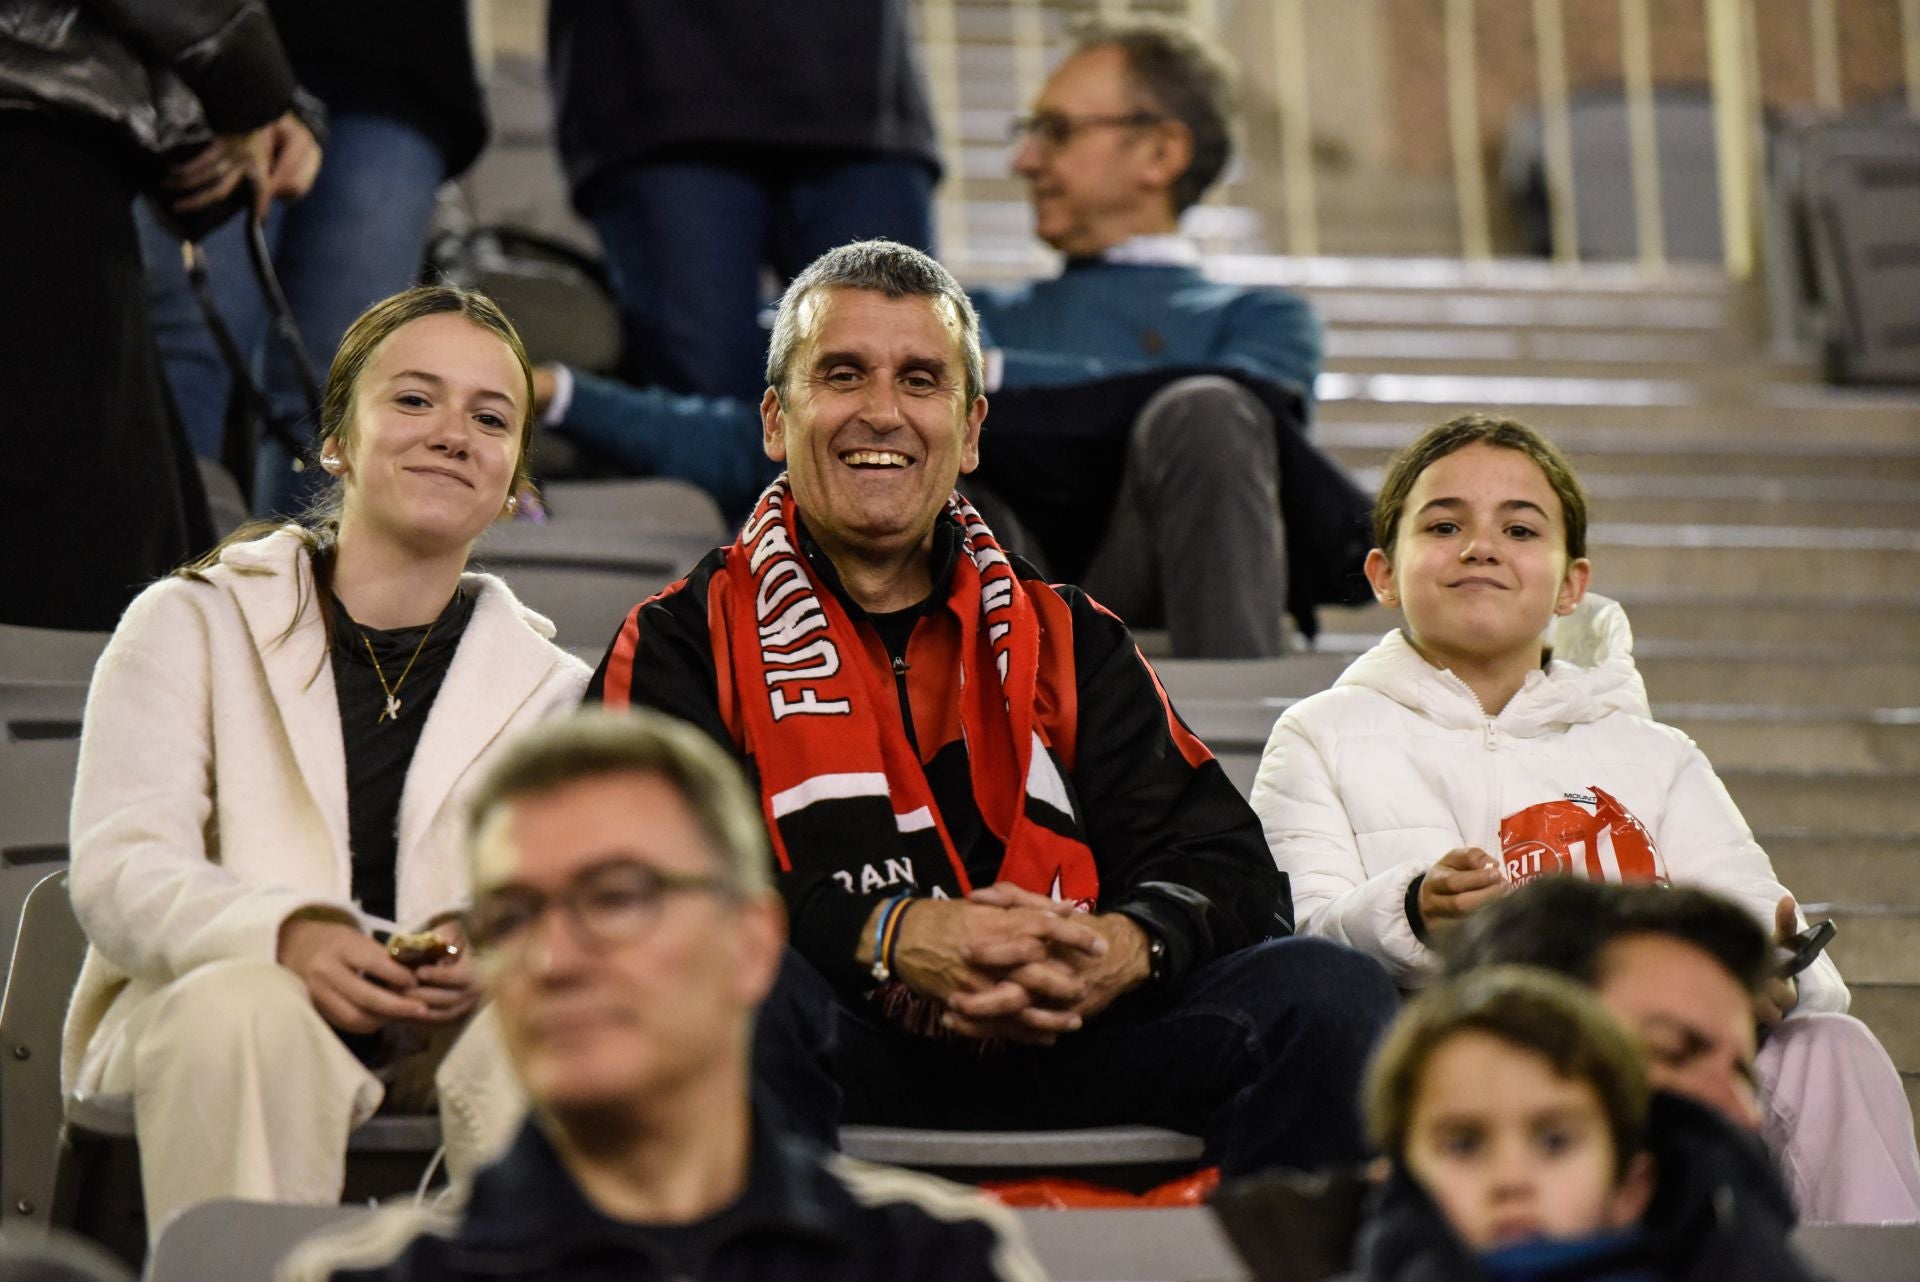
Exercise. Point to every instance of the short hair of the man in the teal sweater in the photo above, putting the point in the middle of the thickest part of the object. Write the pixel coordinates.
(1184, 76)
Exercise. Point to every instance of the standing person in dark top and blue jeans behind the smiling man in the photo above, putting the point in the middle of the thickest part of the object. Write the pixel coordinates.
(709, 141)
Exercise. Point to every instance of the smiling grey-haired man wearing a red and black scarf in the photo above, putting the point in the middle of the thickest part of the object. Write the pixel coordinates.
(1022, 893)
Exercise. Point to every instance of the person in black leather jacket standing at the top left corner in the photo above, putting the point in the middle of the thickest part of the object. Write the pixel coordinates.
(99, 101)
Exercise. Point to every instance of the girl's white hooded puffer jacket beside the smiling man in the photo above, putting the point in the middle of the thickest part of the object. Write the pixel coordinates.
(1368, 784)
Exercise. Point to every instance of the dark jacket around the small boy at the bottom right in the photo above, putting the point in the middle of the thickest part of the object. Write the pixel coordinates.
(1717, 1214)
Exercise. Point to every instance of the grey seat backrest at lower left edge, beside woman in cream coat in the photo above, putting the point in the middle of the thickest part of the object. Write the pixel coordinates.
(47, 962)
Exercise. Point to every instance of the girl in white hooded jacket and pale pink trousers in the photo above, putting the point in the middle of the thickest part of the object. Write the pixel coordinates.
(1451, 765)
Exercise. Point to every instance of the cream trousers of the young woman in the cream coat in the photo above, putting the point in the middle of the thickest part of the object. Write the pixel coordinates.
(243, 1091)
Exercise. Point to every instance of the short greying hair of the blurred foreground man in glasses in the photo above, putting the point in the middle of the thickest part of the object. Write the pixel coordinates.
(602, 742)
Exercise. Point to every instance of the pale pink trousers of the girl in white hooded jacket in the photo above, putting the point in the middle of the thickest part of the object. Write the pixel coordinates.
(1838, 1122)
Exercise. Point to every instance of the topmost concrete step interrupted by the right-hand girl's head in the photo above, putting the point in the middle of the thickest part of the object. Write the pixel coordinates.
(1372, 444)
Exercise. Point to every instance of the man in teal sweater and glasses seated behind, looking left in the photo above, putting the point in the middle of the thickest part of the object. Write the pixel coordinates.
(1128, 133)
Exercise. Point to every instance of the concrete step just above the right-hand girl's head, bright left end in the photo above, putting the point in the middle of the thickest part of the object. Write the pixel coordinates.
(1652, 406)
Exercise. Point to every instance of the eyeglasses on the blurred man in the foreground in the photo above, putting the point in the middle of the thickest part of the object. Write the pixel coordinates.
(610, 905)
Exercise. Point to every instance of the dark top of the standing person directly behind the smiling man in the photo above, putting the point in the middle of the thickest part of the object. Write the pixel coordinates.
(635, 80)
